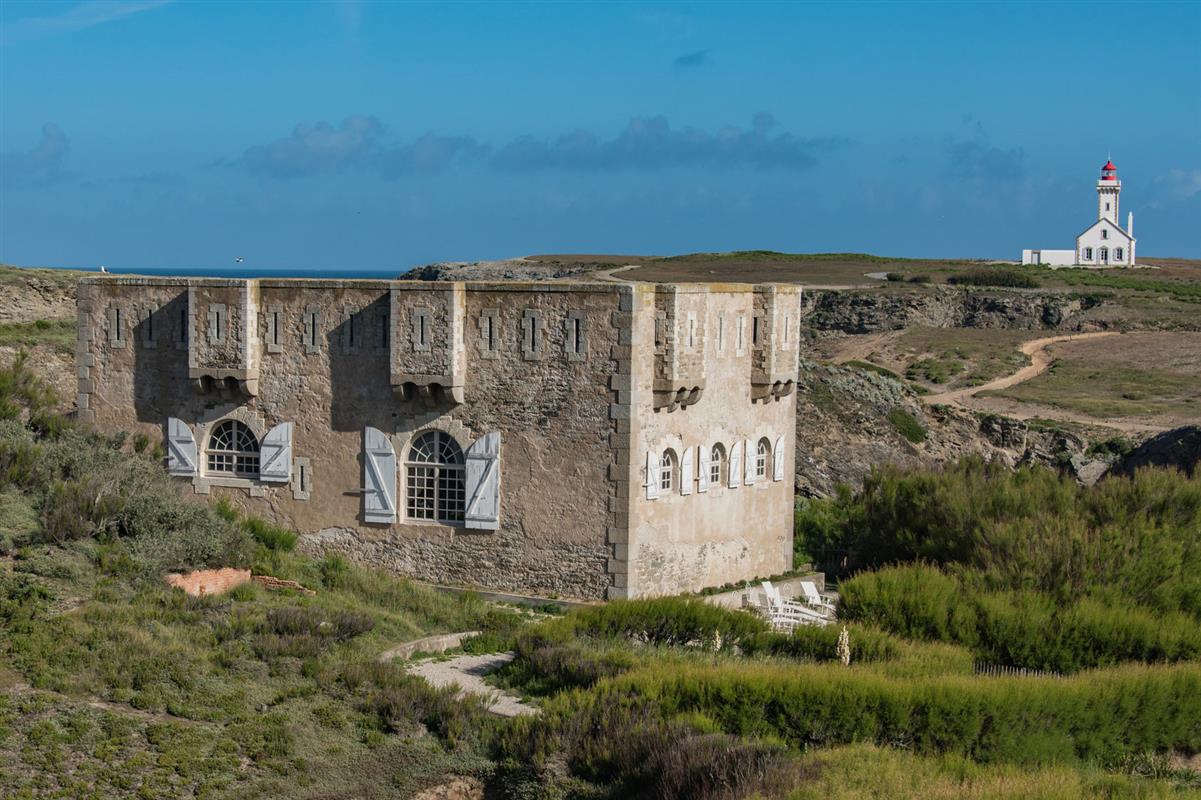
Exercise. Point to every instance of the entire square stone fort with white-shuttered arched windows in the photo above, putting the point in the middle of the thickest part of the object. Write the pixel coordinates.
(584, 440)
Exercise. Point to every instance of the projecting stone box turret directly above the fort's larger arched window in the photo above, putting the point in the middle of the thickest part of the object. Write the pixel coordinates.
(428, 357)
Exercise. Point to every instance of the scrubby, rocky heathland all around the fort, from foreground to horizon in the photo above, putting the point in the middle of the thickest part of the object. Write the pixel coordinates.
(1013, 632)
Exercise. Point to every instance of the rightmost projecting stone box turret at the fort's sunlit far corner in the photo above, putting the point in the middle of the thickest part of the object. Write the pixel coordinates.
(774, 342)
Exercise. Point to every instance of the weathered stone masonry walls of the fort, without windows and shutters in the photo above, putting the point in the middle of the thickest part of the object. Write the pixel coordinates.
(563, 372)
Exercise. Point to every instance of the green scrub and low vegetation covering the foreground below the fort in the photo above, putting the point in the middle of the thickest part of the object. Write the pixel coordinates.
(115, 685)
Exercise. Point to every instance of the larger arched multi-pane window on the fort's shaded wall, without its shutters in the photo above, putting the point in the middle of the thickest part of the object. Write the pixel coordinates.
(434, 485)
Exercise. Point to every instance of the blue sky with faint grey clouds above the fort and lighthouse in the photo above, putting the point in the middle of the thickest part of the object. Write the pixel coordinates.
(373, 135)
